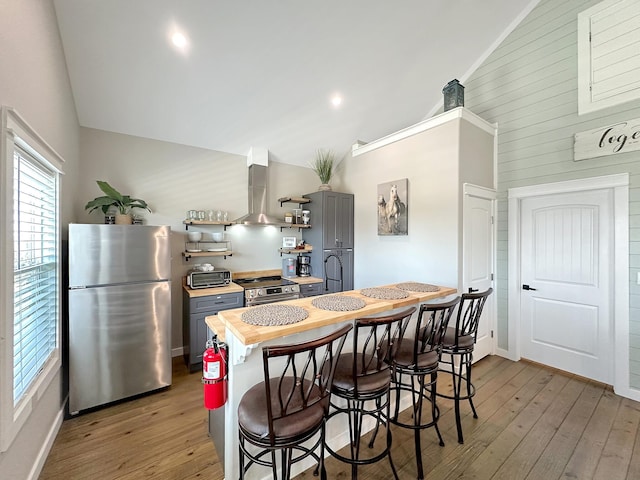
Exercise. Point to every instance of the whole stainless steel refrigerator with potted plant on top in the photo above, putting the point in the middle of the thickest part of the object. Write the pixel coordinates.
(119, 312)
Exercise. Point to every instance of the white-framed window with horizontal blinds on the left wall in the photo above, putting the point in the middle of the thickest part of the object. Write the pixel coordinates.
(30, 288)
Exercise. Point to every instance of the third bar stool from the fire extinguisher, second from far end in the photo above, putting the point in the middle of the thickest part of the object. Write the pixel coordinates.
(417, 358)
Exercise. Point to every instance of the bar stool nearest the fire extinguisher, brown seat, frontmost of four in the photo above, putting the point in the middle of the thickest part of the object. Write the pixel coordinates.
(286, 410)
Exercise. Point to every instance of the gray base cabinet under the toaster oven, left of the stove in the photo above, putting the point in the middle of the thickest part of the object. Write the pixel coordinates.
(195, 332)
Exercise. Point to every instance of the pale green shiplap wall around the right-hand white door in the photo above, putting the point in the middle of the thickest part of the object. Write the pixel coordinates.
(528, 85)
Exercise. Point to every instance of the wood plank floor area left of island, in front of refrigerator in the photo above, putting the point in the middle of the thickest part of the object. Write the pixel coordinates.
(162, 436)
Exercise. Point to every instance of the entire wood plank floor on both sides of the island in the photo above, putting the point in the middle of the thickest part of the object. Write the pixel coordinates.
(534, 423)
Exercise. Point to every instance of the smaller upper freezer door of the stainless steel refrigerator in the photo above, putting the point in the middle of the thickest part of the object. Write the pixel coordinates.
(108, 254)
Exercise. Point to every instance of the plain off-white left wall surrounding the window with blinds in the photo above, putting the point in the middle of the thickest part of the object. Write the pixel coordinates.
(34, 81)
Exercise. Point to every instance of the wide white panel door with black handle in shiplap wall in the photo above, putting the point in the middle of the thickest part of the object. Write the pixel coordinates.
(566, 276)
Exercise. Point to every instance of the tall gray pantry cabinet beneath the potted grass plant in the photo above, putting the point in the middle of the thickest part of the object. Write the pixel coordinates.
(331, 235)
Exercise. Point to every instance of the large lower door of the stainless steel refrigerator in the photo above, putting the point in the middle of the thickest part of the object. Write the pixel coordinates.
(119, 342)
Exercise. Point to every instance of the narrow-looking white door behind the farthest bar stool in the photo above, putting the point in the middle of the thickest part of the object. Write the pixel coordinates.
(478, 247)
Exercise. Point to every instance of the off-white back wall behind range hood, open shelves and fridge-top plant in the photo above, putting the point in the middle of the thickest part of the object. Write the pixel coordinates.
(174, 178)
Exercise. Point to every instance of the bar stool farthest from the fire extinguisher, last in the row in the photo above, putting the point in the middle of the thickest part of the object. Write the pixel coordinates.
(458, 343)
